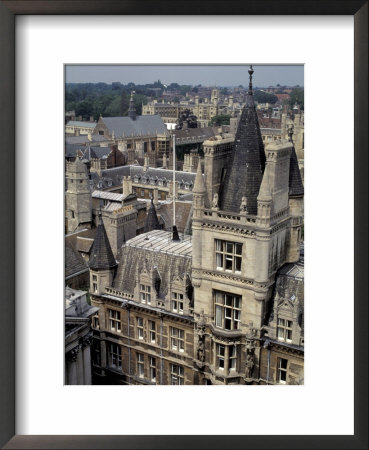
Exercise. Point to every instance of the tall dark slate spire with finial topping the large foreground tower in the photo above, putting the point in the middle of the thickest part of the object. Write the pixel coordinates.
(245, 172)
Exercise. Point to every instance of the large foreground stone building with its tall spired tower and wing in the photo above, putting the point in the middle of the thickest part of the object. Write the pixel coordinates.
(225, 305)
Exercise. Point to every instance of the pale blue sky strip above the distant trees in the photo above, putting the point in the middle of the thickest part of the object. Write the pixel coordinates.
(207, 75)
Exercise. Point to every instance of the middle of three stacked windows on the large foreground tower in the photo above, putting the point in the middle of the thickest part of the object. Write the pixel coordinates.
(227, 310)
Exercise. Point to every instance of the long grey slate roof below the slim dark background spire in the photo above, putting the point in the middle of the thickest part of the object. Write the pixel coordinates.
(141, 126)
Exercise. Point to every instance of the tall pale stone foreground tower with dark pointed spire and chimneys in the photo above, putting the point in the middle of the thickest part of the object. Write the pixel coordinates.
(239, 241)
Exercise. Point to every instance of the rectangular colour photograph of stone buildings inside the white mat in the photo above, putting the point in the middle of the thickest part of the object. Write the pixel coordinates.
(184, 225)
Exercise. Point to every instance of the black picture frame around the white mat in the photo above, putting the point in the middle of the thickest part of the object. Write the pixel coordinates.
(8, 11)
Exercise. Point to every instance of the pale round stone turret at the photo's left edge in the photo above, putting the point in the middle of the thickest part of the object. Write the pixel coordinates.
(78, 196)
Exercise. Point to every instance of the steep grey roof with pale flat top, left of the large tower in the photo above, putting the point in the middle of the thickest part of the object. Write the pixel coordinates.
(167, 258)
